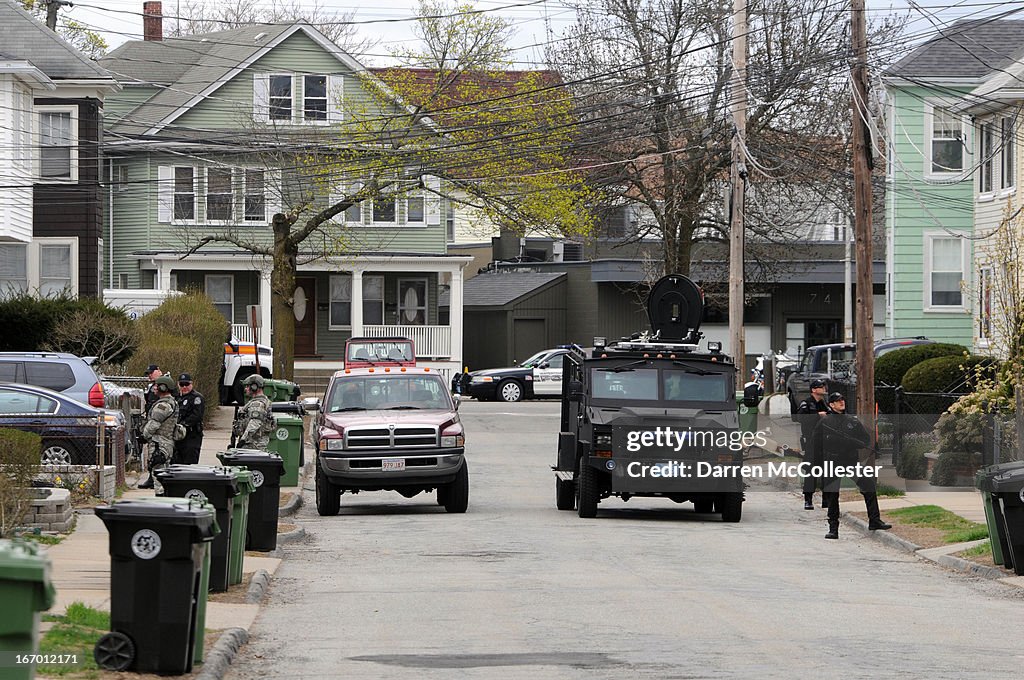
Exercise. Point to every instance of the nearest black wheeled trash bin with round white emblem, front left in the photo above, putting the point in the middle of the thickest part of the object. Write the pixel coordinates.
(157, 552)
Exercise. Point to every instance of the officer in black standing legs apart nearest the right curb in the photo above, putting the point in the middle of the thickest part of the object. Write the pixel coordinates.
(843, 437)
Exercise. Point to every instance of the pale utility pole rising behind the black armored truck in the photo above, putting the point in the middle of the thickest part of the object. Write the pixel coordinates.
(738, 179)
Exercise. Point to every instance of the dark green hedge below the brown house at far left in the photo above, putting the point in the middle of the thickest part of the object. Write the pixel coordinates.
(37, 318)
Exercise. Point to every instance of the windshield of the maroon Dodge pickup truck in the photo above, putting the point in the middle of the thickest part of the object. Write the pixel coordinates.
(393, 393)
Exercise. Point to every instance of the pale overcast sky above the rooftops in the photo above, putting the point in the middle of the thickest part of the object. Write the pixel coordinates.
(390, 22)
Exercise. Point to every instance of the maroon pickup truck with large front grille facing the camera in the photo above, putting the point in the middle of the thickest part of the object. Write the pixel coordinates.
(390, 430)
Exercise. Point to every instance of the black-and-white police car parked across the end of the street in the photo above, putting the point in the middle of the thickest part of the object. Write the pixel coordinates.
(541, 375)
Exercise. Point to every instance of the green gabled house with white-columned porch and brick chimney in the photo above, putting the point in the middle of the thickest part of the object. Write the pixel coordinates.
(209, 137)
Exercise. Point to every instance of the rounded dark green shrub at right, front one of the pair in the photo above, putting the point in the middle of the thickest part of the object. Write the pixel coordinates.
(945, 376)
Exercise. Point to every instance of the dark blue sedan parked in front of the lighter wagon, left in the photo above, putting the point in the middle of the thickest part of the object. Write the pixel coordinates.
(69, 429)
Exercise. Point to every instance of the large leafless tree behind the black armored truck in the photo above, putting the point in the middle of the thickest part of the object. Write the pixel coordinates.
(652, 81)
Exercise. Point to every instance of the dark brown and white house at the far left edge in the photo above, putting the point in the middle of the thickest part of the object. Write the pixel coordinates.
(52, 103)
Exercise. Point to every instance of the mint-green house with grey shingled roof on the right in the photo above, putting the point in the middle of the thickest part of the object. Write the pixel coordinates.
(942, 177)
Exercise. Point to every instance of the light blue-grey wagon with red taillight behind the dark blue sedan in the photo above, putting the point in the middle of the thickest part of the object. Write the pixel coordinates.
(62, 372)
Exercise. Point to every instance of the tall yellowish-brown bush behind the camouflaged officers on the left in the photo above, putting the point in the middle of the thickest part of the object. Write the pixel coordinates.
(186, 334)
